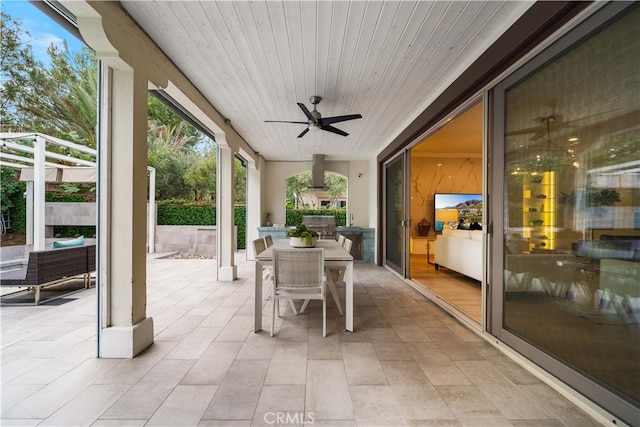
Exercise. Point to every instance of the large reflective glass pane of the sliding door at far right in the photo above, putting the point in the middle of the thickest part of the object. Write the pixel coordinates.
(572, 208)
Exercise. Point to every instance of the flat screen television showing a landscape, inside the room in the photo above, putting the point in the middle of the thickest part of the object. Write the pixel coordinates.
(465, 210)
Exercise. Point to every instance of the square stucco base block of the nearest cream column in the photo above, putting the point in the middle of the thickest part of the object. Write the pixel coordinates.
(125, 342)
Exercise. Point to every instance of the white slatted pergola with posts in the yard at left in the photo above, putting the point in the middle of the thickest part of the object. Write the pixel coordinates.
(38, 165)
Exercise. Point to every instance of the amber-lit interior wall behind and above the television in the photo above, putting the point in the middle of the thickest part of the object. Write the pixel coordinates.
(430, 175)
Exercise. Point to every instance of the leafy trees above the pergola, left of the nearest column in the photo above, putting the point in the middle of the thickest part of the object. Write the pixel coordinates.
(59, 100)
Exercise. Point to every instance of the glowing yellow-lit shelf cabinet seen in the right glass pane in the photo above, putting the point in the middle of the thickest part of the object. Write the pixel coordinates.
(539, 207)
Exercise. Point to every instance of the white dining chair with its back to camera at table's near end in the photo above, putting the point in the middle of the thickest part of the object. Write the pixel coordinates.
(299, 274)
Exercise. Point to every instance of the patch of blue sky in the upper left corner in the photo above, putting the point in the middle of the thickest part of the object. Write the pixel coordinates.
(44, 31)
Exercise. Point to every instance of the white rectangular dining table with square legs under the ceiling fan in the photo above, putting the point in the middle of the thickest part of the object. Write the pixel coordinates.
(335, 257)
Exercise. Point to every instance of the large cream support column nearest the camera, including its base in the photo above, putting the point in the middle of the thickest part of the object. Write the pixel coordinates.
(129, 330)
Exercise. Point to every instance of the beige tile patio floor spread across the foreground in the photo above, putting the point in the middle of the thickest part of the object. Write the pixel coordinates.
(407, 363)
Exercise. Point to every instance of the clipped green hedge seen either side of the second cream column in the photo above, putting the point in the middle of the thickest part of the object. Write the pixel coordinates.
(188, 214)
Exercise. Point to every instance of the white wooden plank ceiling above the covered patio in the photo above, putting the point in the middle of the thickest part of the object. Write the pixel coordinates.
(254, 60)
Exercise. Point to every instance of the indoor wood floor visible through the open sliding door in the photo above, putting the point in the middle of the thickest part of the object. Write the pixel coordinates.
(459, 290)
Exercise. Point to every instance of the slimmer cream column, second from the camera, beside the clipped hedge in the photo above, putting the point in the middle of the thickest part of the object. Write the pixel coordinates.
(227, 270)
